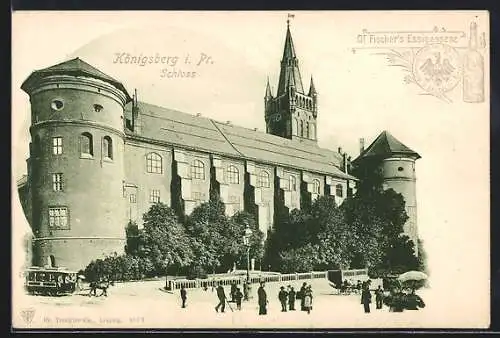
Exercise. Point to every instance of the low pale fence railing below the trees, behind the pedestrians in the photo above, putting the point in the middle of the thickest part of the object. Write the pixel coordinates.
(225, 281)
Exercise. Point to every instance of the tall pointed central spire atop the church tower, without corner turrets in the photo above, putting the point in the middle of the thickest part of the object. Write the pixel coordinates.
(290, 73)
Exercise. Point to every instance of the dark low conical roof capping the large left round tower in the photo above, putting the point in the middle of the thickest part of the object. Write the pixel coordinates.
(76, 67)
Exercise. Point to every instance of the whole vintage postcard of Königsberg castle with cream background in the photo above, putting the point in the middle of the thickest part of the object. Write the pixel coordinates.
(231, 170)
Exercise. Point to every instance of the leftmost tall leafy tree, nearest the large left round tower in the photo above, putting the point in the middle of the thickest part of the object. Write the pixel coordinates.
(164, 240)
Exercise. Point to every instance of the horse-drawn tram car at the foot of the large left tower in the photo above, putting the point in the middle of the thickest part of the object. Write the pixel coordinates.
(50, 281)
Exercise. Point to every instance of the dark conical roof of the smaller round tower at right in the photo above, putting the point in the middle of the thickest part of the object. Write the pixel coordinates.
(386, 145)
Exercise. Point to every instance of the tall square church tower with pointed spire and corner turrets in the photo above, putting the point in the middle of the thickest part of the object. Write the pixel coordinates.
(292, 112)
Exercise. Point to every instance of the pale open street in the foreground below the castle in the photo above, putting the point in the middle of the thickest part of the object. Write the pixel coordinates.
(147, 305)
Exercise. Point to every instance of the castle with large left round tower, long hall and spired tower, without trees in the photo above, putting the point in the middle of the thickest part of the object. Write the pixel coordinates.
(100, 158)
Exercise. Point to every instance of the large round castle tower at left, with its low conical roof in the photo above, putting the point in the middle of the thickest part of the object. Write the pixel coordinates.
(76, 165)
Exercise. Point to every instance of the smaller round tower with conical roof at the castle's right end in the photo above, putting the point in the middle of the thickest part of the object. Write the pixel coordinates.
(397, 162)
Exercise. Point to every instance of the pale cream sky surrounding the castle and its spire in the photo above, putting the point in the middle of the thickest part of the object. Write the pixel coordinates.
(360, 96)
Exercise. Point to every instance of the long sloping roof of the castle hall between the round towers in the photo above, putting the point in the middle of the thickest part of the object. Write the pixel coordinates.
(204, 134)
